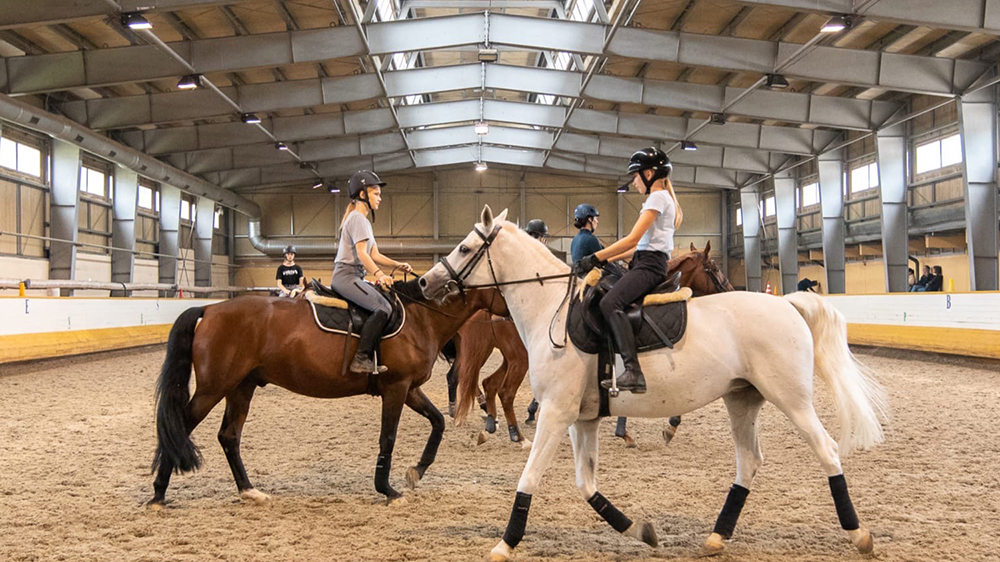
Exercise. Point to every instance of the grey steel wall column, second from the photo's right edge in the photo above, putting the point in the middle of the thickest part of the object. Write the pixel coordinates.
(890, 147)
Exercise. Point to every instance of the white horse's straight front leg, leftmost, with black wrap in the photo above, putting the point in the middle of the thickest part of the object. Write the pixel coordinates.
(554, 420)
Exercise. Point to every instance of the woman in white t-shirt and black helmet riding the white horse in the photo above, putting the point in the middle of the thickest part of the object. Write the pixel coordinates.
(652, 241)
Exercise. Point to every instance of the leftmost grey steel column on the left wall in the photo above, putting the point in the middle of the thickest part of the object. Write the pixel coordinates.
(64, 210)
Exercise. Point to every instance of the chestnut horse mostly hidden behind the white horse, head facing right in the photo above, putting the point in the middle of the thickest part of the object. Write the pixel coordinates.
(477, 339)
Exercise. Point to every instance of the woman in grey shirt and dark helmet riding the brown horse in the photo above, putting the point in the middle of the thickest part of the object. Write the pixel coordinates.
(357, 255)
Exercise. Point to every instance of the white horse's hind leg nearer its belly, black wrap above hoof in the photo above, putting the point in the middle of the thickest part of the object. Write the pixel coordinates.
(744, 407)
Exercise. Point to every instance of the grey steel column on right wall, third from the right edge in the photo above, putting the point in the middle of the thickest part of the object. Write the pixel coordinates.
(831, 193)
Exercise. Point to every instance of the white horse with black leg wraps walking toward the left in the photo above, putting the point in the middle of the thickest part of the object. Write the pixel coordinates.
(743, 347)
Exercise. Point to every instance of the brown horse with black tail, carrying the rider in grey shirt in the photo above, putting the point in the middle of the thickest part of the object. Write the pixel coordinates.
(252, 341)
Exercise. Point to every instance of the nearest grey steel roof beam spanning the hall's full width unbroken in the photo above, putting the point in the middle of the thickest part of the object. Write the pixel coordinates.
(862, 68)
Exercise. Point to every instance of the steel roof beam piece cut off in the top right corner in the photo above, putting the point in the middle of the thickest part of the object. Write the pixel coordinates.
(980, 16)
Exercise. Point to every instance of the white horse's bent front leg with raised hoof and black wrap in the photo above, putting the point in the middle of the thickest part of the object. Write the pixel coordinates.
(583, 434)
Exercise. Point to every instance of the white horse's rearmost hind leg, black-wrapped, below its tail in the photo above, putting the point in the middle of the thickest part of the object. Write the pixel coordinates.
(803, 416)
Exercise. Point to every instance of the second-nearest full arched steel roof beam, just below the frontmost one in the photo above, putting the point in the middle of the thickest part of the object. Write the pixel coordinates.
(131, 111)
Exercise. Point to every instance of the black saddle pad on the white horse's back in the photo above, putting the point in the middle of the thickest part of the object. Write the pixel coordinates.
(655, 326)
